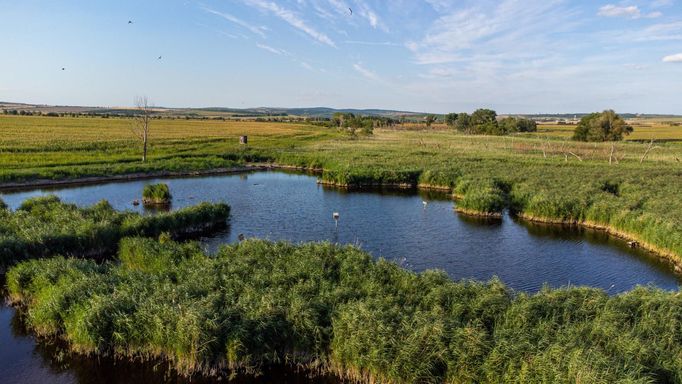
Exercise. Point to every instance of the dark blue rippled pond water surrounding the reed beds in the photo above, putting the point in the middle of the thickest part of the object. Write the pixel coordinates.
(418, 230)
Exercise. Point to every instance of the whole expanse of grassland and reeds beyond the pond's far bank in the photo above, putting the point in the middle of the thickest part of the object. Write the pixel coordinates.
(539, 176)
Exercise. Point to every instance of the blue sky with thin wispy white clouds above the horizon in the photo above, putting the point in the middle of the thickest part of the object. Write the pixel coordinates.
(515, 56)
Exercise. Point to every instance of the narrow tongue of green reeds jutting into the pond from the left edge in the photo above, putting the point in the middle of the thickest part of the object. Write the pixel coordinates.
(45, 226)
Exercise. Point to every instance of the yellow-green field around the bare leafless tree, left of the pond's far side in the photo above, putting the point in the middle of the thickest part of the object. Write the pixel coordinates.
(61, 147)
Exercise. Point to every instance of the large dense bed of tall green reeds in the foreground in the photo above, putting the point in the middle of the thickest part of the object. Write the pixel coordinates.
(333, 308)
